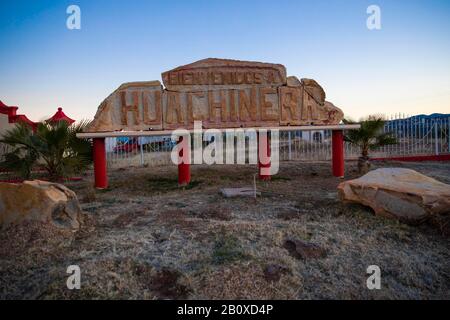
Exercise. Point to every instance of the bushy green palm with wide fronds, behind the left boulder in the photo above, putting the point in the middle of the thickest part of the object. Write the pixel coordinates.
(54, 146)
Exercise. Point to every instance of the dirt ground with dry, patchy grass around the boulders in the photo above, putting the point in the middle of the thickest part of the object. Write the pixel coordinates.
(145, 238)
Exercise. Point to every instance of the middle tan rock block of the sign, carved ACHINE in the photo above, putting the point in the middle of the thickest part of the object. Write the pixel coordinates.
(255, 106)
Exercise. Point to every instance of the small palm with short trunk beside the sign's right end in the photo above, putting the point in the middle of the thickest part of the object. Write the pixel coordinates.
(369, 137)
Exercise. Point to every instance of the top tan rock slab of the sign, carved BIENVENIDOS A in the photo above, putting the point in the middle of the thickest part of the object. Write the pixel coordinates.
(213, 74)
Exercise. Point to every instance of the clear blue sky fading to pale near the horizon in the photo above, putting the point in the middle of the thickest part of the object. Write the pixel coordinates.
(402, 68)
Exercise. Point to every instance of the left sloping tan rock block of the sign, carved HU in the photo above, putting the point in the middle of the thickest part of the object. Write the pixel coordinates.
(133, 106)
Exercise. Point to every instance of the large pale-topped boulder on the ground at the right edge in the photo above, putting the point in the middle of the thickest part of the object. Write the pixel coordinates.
(398, 193)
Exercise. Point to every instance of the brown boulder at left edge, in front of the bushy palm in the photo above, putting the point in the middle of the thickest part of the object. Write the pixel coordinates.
(41, 201)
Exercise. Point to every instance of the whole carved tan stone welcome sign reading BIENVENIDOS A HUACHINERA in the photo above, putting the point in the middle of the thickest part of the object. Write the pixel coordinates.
(222, 94)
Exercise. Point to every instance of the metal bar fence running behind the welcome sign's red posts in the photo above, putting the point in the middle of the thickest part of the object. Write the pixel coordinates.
(416, 136)
